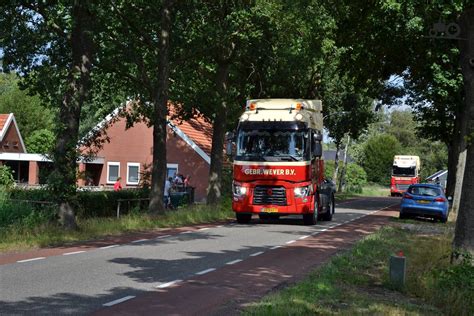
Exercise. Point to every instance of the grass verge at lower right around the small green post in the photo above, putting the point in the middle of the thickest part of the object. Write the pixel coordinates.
(357, 283)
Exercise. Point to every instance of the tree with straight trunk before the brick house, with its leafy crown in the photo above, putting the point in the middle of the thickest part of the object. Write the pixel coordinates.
(141, 42)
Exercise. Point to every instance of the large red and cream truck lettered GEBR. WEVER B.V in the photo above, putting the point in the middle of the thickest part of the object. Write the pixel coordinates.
(277, 168)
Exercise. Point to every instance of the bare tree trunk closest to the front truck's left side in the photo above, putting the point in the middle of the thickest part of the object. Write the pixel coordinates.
(214, 192)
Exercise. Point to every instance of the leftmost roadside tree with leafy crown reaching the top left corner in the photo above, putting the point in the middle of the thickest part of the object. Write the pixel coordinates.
(51, 44)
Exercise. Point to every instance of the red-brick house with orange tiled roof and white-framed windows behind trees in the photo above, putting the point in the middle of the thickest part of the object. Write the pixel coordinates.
(128, 154)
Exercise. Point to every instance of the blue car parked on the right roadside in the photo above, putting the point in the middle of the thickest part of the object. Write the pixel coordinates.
(427, 200)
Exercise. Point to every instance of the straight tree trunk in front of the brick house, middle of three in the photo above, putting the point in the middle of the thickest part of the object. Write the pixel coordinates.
(160, 110)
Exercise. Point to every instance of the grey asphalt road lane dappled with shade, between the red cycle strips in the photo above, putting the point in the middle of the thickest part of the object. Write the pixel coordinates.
(86, 281)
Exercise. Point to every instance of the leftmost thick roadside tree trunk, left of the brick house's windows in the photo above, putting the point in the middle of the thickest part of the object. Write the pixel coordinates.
(63, 177)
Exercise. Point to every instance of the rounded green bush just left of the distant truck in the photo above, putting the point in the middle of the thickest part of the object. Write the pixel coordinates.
(377, 157)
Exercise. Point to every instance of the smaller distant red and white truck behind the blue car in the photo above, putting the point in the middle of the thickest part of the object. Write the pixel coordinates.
(405, 172)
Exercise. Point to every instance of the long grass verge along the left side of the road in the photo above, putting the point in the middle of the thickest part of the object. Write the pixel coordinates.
(16, 237)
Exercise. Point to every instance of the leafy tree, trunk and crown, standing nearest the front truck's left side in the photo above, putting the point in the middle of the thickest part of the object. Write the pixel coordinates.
(220, 42)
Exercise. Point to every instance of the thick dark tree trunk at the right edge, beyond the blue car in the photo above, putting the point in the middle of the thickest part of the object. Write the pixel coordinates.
(464, 232)
